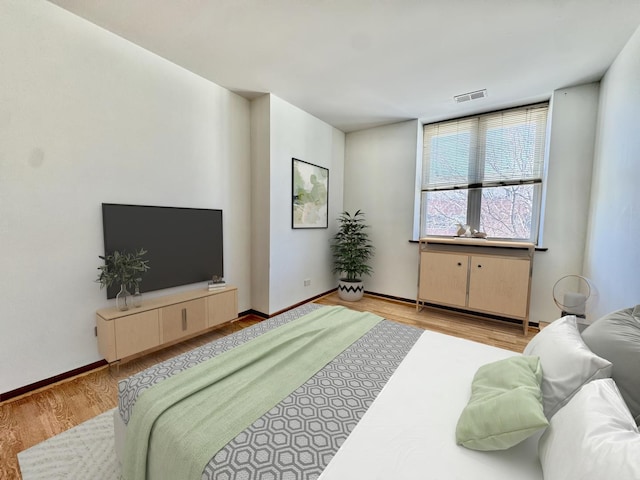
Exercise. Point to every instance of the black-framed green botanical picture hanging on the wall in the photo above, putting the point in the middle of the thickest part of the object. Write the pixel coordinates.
(310, 195)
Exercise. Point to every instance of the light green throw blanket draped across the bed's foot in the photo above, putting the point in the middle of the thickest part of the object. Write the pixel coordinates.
(205, 407)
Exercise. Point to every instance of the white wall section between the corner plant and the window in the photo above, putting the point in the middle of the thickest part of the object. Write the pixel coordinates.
(380, 176)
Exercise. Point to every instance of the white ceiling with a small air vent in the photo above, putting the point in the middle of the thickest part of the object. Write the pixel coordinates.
(362, 63)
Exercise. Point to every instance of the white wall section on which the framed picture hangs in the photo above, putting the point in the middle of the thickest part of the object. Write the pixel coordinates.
(296, 255)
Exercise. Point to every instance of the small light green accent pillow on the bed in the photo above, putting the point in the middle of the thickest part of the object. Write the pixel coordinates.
(505, 406)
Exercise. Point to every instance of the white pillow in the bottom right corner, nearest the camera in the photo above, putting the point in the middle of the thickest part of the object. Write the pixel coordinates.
(593, 437)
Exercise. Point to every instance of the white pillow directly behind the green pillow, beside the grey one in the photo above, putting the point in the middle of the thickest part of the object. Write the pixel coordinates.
(567, 363)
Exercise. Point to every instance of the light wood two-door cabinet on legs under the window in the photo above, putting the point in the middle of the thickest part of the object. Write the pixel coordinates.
(478, 276)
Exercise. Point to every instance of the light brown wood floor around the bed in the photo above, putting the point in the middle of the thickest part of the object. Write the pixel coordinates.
(32, 418)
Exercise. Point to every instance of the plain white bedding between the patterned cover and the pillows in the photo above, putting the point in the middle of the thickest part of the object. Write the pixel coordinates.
(408, 433)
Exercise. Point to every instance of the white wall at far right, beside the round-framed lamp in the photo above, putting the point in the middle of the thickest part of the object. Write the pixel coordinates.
(612, 258)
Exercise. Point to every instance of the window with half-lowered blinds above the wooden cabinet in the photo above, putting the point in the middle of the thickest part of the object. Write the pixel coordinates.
(485, 171)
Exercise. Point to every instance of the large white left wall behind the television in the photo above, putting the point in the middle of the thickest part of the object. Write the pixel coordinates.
(87, 117)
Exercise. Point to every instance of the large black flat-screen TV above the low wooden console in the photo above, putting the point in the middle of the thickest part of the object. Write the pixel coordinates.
(184, 245)
